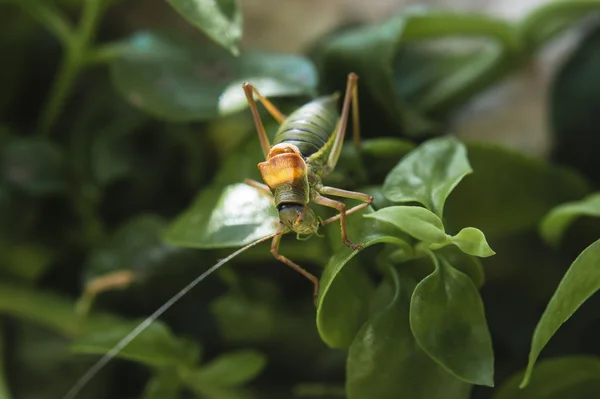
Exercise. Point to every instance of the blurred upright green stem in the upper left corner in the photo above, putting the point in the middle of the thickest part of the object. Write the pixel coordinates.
(73, 61)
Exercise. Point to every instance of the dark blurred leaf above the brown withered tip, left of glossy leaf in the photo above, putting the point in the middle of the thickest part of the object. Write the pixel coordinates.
(137, 246)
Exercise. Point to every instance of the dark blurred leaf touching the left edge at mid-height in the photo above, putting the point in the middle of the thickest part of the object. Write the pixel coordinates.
(34, 166)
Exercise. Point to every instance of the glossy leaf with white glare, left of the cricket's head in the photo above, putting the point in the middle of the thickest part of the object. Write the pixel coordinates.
(220, 218)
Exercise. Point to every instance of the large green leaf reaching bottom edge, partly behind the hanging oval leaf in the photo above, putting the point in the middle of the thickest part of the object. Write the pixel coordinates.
(385, 362)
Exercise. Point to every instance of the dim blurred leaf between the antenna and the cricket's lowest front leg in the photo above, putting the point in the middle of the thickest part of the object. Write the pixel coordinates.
(234, 312)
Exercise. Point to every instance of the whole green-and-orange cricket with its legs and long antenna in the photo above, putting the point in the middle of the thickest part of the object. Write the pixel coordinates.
(306, 148)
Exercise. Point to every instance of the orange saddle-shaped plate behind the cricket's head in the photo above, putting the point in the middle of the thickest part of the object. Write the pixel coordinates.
(283, 165)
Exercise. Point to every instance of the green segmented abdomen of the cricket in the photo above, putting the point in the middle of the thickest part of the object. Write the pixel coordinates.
(310, 126)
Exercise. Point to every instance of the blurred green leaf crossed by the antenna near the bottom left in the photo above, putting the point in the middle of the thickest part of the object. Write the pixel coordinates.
(155, 346)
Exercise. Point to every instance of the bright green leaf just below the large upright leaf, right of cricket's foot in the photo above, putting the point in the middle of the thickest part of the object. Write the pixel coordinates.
(414, 220)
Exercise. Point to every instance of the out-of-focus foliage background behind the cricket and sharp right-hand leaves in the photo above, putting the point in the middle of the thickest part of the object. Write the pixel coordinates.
(121, 122)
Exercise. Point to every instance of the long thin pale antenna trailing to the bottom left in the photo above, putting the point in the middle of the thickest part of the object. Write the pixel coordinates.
(91, 373)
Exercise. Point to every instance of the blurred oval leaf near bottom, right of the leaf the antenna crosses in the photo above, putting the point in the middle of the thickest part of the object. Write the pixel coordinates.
(228, 370)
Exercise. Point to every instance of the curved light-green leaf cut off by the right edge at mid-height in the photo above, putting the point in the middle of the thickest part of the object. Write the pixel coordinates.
(556, 222)
